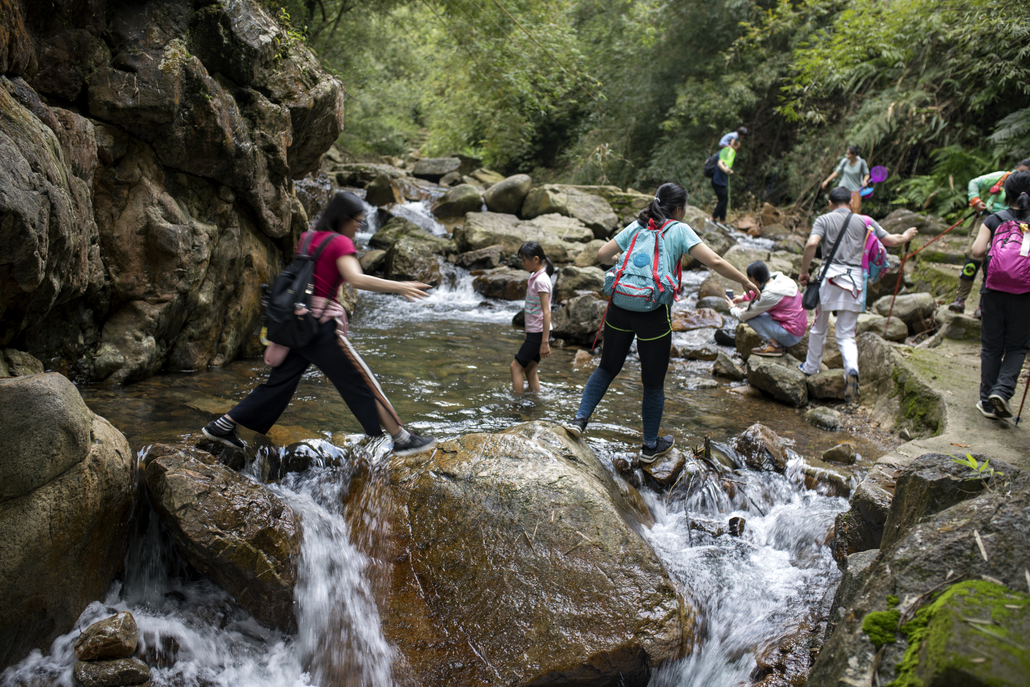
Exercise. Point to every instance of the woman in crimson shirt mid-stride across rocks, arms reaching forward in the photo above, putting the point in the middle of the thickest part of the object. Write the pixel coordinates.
(331, 352)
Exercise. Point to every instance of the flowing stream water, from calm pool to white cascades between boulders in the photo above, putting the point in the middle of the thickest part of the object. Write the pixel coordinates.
(444, 364)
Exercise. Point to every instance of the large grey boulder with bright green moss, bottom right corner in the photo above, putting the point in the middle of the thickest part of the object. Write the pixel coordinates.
(953, 565)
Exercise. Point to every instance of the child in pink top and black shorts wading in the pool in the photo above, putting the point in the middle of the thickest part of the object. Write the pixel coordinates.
(538, 318)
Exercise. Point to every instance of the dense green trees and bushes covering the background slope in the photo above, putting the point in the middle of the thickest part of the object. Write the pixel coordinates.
(639, 93)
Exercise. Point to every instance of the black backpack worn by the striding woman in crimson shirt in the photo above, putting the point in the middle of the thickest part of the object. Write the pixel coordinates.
(288, 313)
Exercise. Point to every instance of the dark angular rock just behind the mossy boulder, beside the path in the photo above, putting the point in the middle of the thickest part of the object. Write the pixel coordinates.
(932, 484)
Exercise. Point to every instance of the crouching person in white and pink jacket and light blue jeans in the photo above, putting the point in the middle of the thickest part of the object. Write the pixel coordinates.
(777, 316)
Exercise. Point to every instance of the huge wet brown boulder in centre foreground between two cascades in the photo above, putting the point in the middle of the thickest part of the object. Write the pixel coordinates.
(529, 524)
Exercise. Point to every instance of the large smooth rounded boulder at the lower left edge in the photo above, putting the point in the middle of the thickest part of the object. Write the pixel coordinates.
(65, 506)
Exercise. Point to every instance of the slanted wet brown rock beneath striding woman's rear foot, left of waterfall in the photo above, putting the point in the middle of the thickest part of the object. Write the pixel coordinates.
(233, 530)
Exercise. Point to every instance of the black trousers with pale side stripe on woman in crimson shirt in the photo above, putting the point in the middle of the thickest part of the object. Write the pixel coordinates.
(331, 353)
